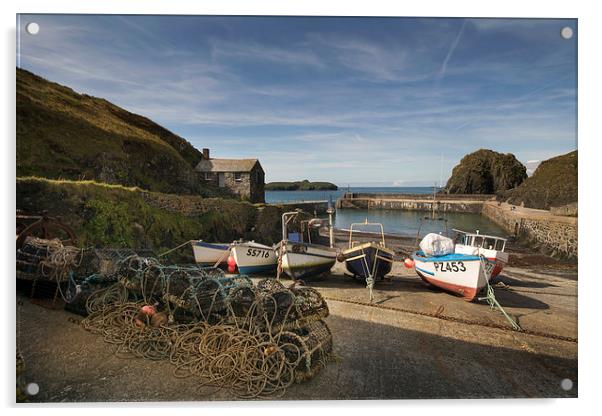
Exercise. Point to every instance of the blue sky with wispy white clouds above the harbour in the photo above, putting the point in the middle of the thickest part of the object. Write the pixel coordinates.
(354, 101)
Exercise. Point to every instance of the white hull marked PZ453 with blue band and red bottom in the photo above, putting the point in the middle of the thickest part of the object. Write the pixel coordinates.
(456, 273)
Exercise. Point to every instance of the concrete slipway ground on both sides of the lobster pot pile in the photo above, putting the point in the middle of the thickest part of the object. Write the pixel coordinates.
(389, 349)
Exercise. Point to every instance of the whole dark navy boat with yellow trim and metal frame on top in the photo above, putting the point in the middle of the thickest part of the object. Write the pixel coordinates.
(371, 260)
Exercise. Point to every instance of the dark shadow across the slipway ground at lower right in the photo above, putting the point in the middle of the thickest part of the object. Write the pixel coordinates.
(381, 361)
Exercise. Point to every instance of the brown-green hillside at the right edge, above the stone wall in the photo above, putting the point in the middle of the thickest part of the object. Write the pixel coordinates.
(553, 184)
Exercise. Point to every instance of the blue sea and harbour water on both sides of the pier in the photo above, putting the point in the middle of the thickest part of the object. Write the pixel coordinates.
(400, 222)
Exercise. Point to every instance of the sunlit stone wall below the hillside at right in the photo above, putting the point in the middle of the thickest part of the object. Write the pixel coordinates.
(556, 234)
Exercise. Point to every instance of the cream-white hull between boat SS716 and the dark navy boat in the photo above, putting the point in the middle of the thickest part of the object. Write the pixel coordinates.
(303, 260)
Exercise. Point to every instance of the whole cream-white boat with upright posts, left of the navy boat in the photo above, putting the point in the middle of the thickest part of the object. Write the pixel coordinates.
(300, 258)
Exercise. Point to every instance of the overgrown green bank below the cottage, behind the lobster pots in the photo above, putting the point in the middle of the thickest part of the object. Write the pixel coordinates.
(116, 216)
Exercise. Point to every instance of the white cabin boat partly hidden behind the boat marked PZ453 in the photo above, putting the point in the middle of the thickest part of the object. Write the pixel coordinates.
(488, 246)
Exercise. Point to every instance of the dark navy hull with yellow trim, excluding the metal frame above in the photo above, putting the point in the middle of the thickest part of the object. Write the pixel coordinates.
(368, 260)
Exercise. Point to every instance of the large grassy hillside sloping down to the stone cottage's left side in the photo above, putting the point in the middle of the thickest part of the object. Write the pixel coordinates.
(63, 134)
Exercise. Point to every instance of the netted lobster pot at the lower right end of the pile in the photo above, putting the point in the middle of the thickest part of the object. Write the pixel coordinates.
(310, 346)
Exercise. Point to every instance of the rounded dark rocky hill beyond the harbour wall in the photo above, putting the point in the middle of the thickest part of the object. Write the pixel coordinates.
(486, 172)
